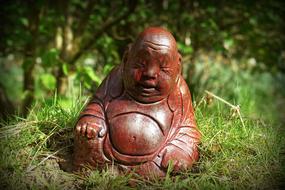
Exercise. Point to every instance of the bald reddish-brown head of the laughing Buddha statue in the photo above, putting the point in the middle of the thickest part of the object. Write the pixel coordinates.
(152, 66)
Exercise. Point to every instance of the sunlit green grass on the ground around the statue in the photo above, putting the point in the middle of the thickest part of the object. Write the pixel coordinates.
(36, 152)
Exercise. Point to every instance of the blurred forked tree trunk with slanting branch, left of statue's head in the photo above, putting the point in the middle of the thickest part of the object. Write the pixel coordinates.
(68, 56)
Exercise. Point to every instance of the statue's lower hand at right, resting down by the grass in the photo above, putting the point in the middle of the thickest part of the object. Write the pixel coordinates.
(180, 160)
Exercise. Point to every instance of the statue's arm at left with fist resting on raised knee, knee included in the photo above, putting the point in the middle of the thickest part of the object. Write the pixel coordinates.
(89, 132)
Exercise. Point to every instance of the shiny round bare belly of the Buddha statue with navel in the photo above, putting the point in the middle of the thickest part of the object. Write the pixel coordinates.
(135, 134)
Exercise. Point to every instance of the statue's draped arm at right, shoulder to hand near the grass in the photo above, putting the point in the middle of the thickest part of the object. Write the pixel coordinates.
(182, 149)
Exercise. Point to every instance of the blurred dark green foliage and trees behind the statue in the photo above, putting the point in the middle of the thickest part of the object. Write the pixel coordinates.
(65, 44)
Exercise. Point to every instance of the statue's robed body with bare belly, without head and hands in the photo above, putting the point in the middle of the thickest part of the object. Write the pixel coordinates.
(136, 135)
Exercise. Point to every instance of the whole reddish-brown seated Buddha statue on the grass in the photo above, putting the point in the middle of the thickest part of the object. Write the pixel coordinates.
(141, 116)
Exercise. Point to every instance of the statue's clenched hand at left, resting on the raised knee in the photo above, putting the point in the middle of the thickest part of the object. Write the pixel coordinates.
(91, 127)
